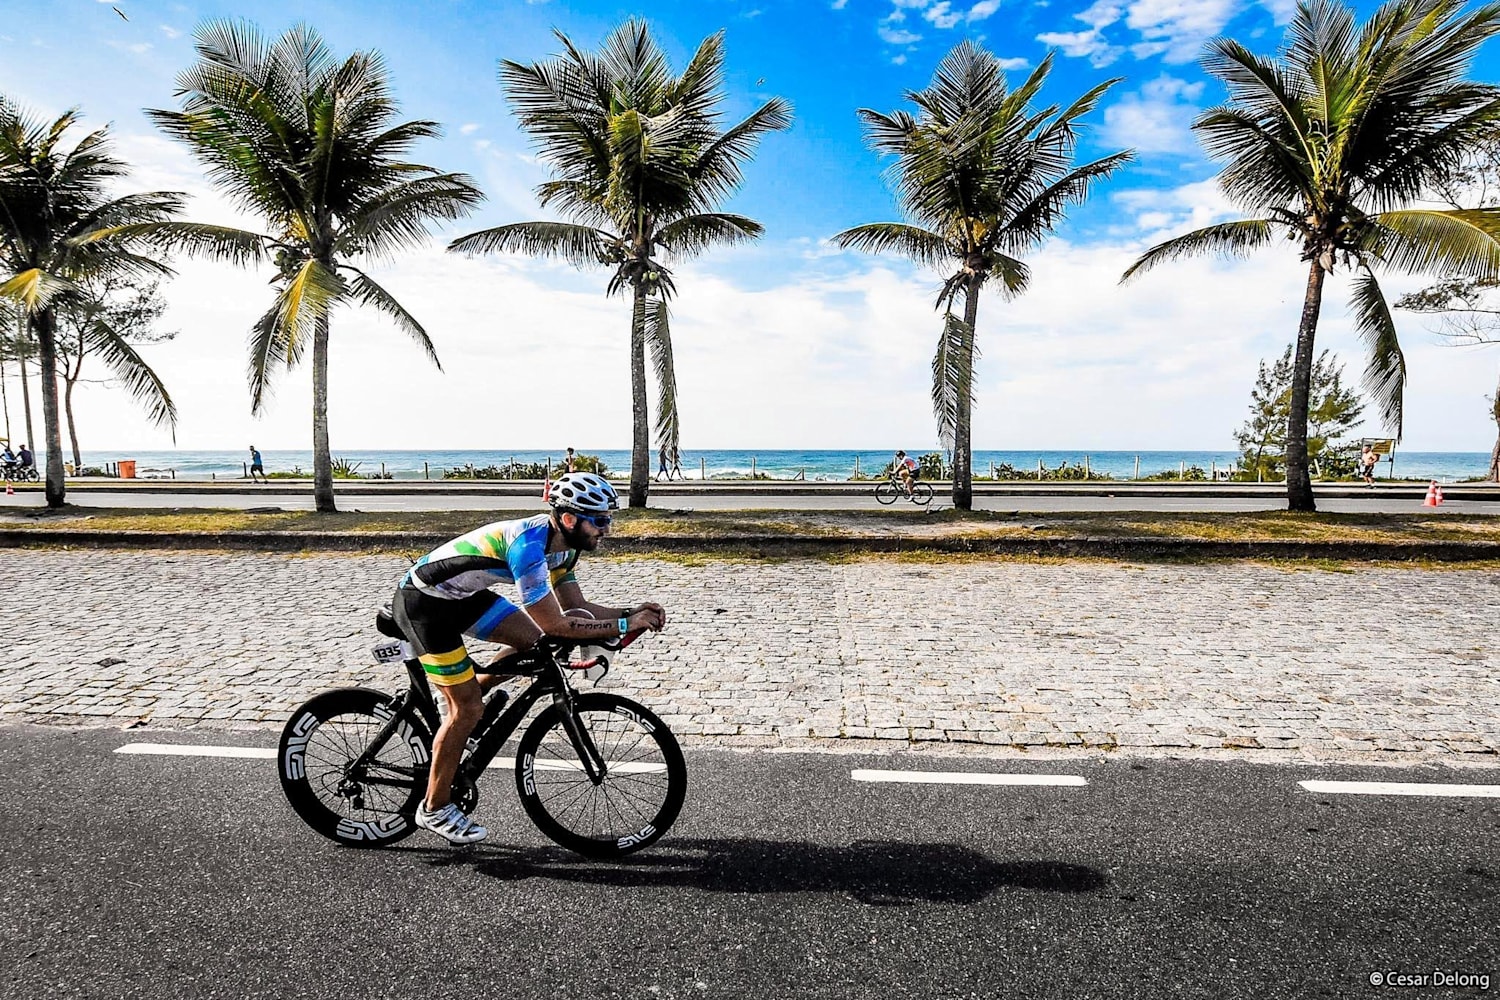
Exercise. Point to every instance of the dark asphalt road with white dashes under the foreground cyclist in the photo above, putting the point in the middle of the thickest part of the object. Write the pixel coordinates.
(130, 876)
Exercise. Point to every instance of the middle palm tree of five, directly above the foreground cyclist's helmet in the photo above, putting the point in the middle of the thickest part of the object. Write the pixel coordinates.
(641, 166)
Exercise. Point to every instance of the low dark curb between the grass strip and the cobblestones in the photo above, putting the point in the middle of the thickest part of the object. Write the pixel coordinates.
(1126, 548)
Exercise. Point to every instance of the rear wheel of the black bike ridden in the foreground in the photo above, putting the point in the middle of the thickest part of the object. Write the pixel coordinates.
(370, 806)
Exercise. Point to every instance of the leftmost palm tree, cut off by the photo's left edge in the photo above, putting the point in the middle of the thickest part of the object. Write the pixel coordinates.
(58, 232)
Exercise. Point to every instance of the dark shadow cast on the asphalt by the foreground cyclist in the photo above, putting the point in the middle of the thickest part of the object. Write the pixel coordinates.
(877, 873)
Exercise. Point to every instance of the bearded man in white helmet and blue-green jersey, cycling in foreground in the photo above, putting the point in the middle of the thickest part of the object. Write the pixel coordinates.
(446, 596)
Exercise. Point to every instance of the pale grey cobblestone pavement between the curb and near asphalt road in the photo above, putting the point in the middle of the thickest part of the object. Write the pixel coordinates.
(1180, 659)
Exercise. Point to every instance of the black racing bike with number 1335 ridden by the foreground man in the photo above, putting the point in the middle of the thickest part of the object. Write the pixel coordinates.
(596, 773)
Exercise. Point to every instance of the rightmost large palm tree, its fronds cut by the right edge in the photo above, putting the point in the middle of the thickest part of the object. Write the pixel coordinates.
(1333, 145)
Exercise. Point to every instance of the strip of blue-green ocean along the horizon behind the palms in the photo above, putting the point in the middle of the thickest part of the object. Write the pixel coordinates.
(820, 466)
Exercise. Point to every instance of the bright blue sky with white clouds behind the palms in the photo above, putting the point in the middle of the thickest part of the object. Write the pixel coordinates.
(787, 344)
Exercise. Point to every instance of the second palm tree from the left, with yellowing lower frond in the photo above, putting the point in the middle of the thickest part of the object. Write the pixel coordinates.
(311, 145)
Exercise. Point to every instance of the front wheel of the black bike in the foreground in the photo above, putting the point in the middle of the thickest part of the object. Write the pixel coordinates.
(641, 791)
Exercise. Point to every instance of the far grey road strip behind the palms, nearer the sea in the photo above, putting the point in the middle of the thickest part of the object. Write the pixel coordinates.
(1375, 504)
